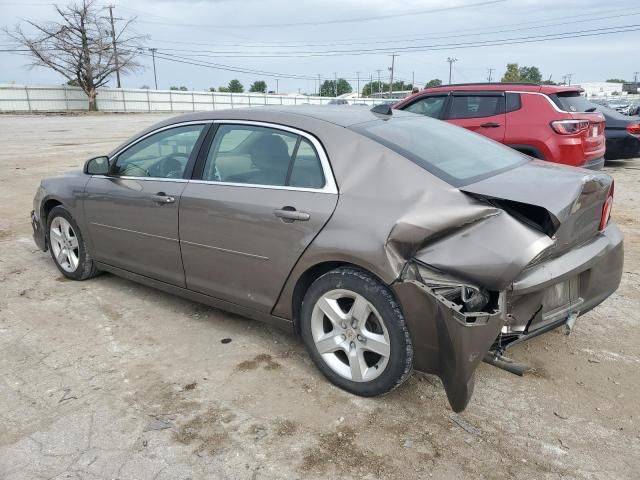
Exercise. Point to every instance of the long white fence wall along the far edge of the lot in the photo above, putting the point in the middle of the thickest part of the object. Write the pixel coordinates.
(24, 98)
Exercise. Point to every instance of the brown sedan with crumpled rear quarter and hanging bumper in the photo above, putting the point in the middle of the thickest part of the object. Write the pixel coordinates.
(387, 240)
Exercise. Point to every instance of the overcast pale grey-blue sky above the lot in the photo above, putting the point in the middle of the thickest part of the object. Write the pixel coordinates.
(254, 34)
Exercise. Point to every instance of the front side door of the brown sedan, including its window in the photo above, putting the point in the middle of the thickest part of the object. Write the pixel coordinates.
(132, 213)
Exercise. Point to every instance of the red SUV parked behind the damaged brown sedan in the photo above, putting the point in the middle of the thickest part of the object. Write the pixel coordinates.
(552, 123)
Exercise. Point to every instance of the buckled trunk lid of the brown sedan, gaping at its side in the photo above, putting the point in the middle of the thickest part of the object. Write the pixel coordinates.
(563, 202)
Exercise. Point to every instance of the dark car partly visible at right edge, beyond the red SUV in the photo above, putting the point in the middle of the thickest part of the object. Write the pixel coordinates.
(622, 133)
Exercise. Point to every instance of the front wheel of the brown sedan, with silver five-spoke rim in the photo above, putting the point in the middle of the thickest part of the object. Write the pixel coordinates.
(67, 246)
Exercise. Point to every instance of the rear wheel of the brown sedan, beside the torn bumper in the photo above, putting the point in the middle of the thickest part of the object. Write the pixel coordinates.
(355, 333)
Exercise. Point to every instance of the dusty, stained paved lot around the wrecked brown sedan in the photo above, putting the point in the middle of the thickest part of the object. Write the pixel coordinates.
(109, 379)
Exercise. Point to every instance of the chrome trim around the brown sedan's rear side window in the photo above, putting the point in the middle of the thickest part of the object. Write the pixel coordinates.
(330, 185)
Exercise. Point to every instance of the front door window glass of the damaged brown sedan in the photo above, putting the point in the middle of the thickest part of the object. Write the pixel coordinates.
(162, 155)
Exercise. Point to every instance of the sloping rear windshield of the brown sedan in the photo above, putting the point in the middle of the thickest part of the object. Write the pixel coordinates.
(450, 153)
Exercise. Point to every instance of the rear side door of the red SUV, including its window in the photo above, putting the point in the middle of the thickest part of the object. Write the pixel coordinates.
(480, 112)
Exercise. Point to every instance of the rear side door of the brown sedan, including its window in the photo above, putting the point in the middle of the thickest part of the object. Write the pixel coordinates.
(261, 195)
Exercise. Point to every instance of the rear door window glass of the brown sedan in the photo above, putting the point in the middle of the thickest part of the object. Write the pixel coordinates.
(262, 156)
